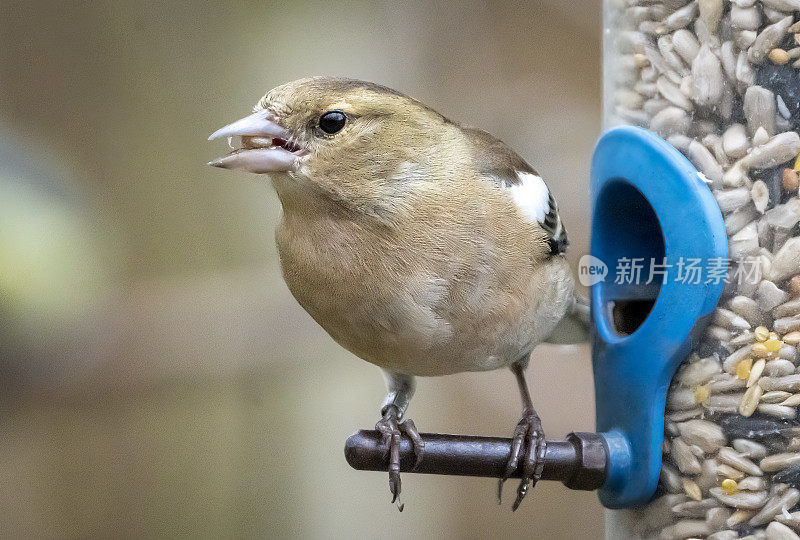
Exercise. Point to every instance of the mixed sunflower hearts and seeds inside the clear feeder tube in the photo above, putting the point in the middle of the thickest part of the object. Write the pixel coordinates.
(720, 81)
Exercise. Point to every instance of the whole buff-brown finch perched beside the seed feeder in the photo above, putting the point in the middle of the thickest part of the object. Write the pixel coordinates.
(422, 246)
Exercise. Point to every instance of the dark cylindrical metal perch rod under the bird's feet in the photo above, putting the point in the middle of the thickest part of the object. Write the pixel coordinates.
(579, 461)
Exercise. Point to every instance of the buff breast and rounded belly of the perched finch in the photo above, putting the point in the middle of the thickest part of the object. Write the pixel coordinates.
(422, 300)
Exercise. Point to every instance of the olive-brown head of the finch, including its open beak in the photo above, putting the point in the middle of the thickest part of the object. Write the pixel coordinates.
(353, 141)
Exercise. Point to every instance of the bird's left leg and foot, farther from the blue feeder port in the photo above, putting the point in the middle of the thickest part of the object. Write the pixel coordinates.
(400, 389)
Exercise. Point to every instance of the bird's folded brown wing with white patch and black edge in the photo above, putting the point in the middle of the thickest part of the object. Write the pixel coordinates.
(495, 160)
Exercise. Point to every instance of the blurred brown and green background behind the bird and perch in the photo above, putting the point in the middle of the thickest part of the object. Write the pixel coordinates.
(157, 379)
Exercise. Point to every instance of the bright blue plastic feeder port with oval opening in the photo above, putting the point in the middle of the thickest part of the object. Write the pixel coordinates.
(650, 207)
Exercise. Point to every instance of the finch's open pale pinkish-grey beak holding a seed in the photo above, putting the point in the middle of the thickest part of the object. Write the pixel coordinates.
(265, 145)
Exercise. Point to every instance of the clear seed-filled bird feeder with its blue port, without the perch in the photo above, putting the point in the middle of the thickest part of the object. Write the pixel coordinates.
(707, 94)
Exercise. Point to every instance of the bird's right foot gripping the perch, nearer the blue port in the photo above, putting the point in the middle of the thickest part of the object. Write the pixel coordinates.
(527, 444)
